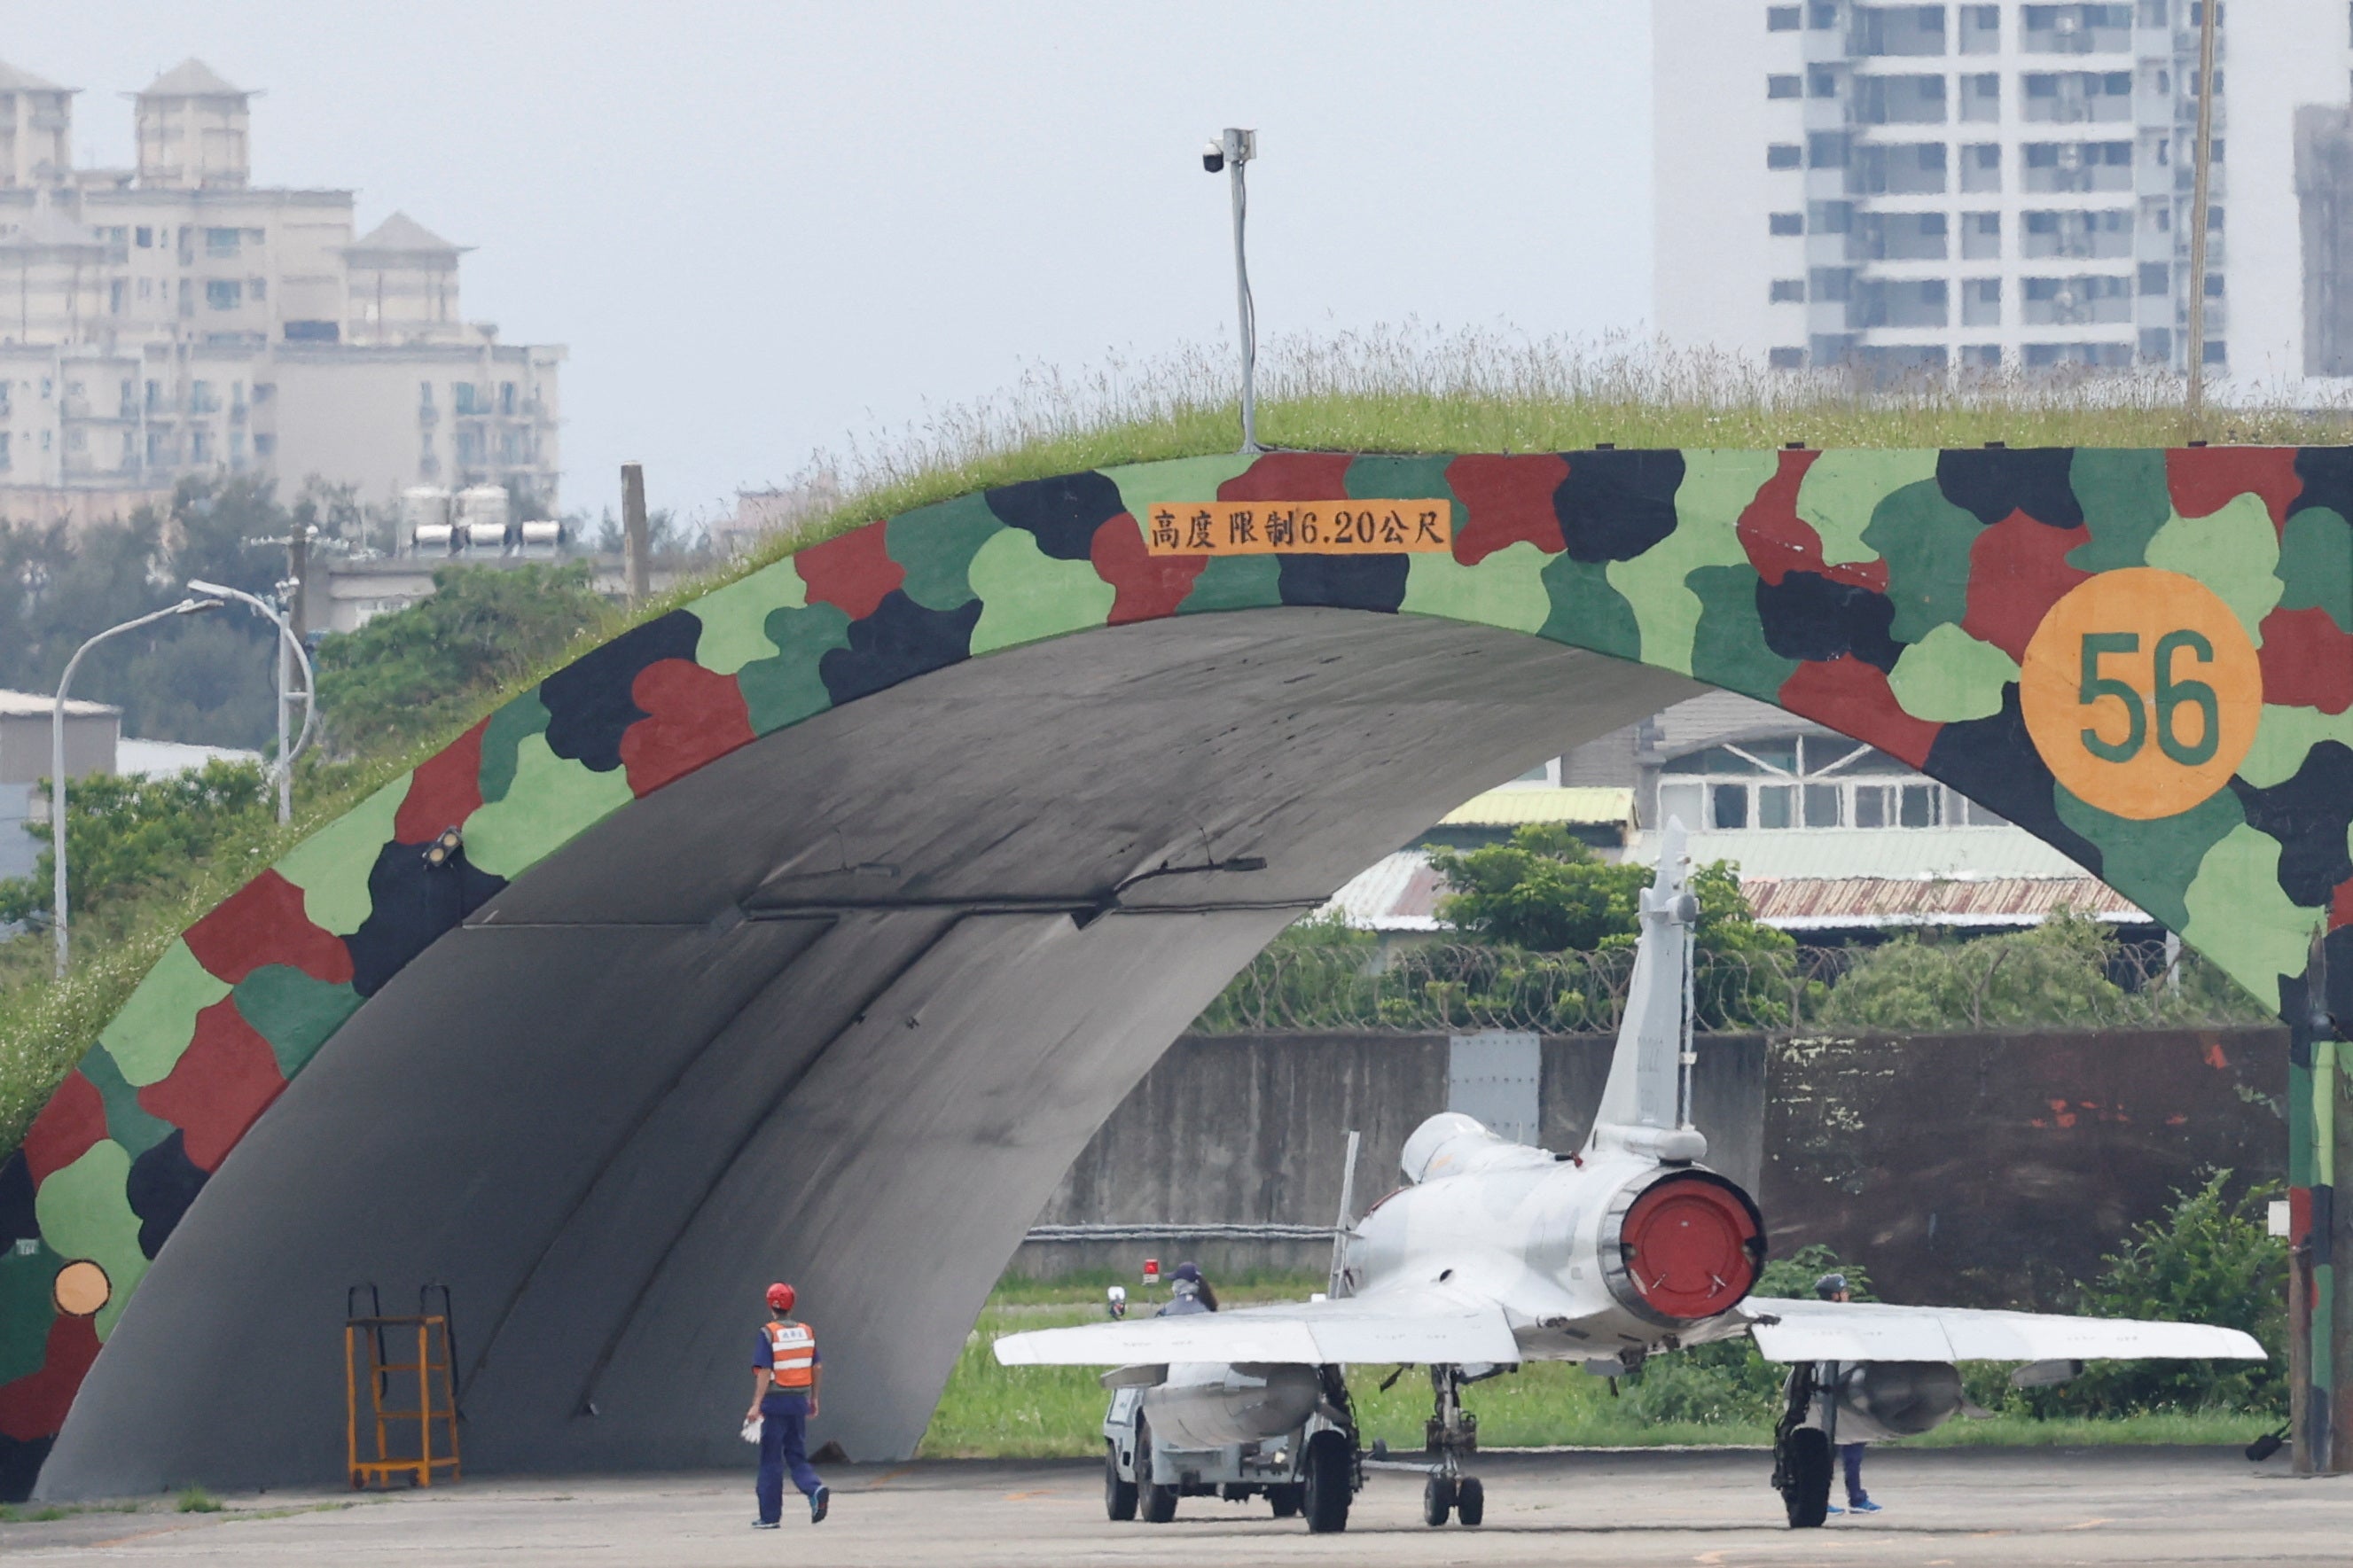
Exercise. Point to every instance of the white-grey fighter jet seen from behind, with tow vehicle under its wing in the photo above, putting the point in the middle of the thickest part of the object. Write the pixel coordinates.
(1498, 1254)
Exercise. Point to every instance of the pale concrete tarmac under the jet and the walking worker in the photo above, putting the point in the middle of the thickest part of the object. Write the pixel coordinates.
(1707, 1508)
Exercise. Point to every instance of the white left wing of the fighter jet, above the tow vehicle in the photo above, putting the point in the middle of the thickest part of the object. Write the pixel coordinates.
(1415, 1327)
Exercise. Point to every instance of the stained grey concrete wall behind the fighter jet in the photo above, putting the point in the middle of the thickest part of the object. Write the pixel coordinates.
(1971, 1170)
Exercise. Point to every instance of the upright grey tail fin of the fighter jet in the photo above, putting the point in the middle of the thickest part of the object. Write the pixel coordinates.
(1644, 1104)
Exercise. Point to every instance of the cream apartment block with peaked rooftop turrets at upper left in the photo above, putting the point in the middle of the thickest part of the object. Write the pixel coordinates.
(180, 321)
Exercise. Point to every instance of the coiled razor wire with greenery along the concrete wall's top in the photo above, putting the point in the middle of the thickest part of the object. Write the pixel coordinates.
(1917, 989)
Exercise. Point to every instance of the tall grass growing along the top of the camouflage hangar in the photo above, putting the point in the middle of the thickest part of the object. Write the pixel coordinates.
(1408, 389)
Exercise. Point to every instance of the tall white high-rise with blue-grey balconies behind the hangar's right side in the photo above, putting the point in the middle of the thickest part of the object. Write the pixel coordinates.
(1949, 187)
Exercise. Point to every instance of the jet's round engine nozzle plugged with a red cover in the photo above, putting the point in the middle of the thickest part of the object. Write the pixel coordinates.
(1681, 1247)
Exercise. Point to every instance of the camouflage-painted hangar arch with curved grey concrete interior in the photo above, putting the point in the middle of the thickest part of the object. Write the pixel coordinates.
(775, 946)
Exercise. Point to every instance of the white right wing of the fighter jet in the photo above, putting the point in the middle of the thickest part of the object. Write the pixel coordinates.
(1881, 1332)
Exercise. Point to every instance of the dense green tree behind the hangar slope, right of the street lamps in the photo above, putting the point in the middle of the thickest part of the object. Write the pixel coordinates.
(420, 671)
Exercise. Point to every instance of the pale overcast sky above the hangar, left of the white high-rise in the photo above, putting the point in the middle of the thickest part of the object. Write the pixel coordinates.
(768, 227)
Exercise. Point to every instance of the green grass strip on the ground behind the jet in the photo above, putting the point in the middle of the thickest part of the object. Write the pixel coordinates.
(1046, 1412)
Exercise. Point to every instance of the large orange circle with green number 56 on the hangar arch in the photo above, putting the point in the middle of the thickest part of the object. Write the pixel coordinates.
(2142, 692)
